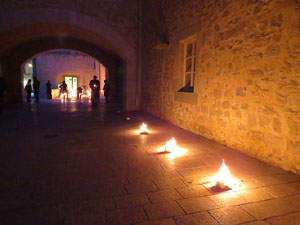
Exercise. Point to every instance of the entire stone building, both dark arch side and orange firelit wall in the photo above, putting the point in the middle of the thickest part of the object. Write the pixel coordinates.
(243, 73)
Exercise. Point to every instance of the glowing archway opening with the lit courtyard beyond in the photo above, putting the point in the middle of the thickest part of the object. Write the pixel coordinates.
(74, 68)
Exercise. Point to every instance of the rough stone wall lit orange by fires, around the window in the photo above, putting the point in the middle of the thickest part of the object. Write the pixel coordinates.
(247, 93)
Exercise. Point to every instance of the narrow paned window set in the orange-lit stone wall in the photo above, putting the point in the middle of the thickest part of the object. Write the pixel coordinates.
(190, 56)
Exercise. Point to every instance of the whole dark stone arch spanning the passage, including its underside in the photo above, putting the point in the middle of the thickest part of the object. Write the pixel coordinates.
(65, 29)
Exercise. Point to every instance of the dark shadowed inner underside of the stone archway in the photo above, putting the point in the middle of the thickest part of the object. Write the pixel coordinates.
(113, 63)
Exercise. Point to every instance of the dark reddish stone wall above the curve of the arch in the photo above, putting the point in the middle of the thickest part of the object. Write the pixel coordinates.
(119, 15)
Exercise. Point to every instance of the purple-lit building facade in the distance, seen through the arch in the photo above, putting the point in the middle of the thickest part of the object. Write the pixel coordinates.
(56, 65)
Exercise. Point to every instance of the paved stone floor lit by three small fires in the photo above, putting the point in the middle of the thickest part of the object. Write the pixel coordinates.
(69, 164)
